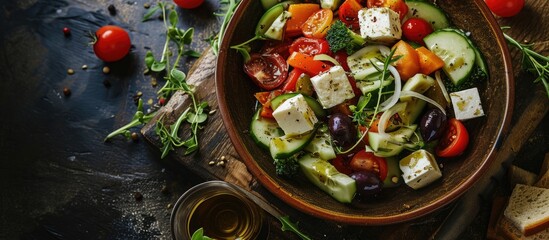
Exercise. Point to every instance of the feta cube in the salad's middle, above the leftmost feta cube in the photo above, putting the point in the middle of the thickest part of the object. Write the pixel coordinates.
(332, 87)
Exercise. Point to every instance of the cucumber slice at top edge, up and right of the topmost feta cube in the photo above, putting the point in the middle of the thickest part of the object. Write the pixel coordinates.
(428, 11)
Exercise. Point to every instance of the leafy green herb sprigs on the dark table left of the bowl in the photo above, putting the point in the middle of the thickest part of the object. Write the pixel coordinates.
(196, 114)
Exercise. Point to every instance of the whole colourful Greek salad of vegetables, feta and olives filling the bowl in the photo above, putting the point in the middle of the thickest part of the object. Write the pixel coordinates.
(362, 96)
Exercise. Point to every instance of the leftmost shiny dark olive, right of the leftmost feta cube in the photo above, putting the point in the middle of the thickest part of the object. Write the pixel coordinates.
(342, 130)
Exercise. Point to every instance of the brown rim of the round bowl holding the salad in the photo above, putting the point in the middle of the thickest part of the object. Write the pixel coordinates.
(316, 211)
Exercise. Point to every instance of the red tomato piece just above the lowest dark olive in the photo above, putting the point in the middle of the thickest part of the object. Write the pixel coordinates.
(367, 161)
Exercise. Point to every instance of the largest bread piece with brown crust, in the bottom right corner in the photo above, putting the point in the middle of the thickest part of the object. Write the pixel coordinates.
(528, 209)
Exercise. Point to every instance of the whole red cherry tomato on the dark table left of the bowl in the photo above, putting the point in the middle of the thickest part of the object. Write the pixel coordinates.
(112, 43)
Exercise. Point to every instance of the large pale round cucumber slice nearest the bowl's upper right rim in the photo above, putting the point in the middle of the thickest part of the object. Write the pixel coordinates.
(454, 49)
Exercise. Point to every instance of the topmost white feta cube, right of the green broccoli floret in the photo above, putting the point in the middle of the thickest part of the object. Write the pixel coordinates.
(380, 25)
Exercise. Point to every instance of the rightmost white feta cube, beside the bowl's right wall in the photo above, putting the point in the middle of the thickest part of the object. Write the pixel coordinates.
(467, 104)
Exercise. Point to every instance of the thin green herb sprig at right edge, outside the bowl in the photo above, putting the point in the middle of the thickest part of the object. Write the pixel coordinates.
(532, 61)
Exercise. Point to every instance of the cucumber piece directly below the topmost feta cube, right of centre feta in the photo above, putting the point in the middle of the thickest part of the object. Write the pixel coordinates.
(360, 62)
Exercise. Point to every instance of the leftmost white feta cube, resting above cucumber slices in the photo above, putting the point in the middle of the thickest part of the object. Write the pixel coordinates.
(295, 116)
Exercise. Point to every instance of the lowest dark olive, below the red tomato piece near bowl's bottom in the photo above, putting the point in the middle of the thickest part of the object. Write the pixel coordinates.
(368, 184)
